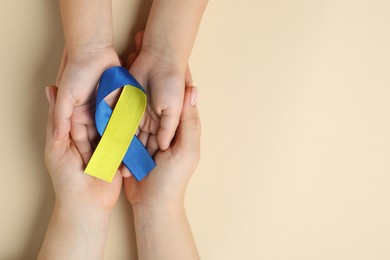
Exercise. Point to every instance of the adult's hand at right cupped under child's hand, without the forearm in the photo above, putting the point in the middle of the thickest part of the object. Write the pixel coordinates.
(167, 183)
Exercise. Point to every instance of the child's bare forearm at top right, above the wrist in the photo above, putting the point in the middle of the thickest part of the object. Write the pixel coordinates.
(171, 29)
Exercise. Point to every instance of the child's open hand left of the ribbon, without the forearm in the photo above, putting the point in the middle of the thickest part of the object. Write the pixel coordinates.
(74, 109)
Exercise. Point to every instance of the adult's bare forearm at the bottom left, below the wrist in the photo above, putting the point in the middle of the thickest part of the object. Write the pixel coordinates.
(71, 235)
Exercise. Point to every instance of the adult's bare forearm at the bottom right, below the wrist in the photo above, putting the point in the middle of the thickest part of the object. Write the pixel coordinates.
(163, 233)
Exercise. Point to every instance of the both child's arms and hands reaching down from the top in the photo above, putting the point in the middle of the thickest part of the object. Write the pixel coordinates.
(160, 66)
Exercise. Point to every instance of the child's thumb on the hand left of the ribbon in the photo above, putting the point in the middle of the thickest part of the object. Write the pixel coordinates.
(63, 109)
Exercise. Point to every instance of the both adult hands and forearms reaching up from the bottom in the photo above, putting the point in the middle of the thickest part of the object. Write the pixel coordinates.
(79, 223)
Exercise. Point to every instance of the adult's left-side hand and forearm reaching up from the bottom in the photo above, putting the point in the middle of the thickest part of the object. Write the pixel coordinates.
(79, 223)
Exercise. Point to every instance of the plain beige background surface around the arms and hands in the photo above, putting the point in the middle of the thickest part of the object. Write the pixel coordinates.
(294, 100)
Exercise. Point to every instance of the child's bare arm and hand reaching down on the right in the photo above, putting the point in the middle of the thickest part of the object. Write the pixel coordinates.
(162, 61)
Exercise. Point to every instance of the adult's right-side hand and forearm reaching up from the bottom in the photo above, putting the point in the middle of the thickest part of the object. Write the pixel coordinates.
(162, 228)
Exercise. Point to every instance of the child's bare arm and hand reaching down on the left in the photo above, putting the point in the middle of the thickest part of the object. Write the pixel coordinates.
(89, 50)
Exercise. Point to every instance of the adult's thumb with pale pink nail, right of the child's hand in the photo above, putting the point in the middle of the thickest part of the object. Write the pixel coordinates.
(188, 134)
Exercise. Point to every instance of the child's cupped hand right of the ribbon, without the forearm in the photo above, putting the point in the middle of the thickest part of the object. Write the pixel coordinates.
(165, 83)
